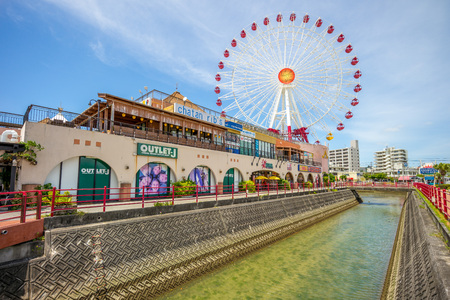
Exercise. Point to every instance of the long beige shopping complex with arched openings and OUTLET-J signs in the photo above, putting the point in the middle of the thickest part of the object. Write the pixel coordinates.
(152, 142)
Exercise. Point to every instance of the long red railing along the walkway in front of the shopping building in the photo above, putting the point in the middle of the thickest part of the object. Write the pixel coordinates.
(36, 204)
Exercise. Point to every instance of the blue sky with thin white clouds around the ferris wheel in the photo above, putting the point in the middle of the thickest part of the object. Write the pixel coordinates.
(63, 52)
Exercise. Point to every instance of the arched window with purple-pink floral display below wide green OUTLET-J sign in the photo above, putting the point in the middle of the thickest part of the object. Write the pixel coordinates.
(154, 179)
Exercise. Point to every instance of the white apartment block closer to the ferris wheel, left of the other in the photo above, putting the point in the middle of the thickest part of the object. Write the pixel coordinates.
(345, 160)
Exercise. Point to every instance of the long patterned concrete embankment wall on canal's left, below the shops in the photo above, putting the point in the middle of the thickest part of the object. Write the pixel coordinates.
(142, 257)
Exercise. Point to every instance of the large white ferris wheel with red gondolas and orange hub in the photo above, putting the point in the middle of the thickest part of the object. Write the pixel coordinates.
(294, 76)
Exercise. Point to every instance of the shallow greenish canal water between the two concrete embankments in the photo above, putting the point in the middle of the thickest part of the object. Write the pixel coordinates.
(343, 257)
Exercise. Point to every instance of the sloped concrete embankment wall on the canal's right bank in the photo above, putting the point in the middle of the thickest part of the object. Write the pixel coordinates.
(420, 261)
